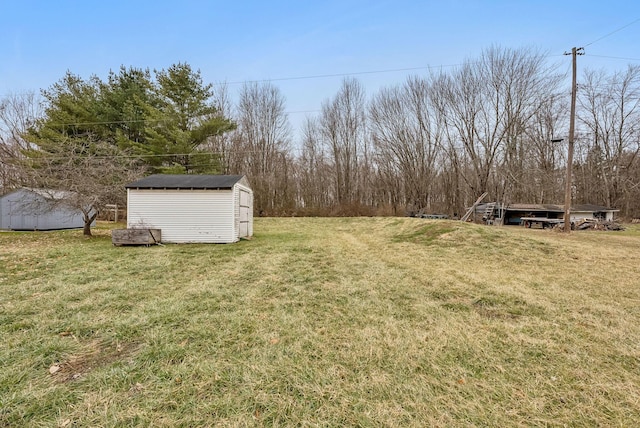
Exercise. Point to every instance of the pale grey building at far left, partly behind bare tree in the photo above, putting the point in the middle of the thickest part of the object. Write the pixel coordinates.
(38, 209)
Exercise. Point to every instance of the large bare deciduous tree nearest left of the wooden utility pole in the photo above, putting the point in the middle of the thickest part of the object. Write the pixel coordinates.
(489, 105)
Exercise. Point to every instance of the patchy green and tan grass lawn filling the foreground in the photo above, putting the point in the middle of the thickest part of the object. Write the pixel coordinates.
(323, 322)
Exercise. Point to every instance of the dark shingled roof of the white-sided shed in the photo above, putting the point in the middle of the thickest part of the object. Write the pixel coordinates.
(185, 181)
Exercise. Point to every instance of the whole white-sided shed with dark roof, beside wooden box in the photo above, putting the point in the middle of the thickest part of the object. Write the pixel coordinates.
(192, 208)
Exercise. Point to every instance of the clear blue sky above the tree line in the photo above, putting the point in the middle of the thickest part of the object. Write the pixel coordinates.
(235, 41)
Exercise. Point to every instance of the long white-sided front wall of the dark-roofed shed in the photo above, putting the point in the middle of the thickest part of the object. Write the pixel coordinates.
(184, 216)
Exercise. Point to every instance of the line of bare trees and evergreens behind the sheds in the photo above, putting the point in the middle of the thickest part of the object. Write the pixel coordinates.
(432, 143)
